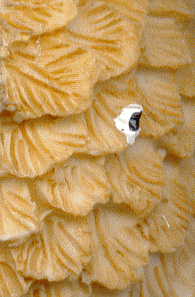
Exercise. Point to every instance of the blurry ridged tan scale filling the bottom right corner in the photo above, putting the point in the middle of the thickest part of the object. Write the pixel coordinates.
(172, 274)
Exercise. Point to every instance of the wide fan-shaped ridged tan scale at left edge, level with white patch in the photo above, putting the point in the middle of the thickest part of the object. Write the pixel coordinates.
(32, 148)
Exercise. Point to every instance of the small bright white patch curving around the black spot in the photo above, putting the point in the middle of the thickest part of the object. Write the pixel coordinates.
(122, 122)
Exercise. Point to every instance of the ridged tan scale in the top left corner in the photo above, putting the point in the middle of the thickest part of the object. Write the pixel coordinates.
(21, 19)
